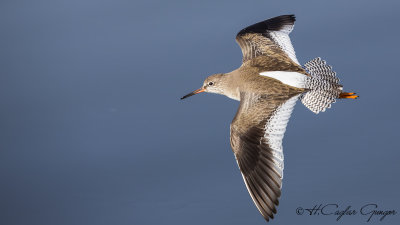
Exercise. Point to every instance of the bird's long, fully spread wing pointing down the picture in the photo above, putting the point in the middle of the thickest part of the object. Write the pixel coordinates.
(256, 139)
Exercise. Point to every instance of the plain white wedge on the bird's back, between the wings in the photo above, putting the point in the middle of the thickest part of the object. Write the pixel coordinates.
(290, 78)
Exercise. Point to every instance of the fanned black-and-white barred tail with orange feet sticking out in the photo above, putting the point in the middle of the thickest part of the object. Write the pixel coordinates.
(323, 85)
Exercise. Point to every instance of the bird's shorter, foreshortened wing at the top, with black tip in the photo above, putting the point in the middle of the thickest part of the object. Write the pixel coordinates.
(269, 37)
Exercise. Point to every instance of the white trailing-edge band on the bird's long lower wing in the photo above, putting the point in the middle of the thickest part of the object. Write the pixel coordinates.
(275, 129)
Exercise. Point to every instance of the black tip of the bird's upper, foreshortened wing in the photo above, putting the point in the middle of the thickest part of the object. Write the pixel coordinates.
(273, 24)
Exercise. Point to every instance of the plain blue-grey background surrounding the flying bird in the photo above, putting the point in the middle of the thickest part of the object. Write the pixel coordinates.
(92, 130)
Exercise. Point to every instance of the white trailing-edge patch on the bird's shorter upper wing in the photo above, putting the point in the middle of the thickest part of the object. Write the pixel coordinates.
(282, 39)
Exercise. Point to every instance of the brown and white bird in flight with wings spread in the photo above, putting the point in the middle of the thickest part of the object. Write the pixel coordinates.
(268, 84)
